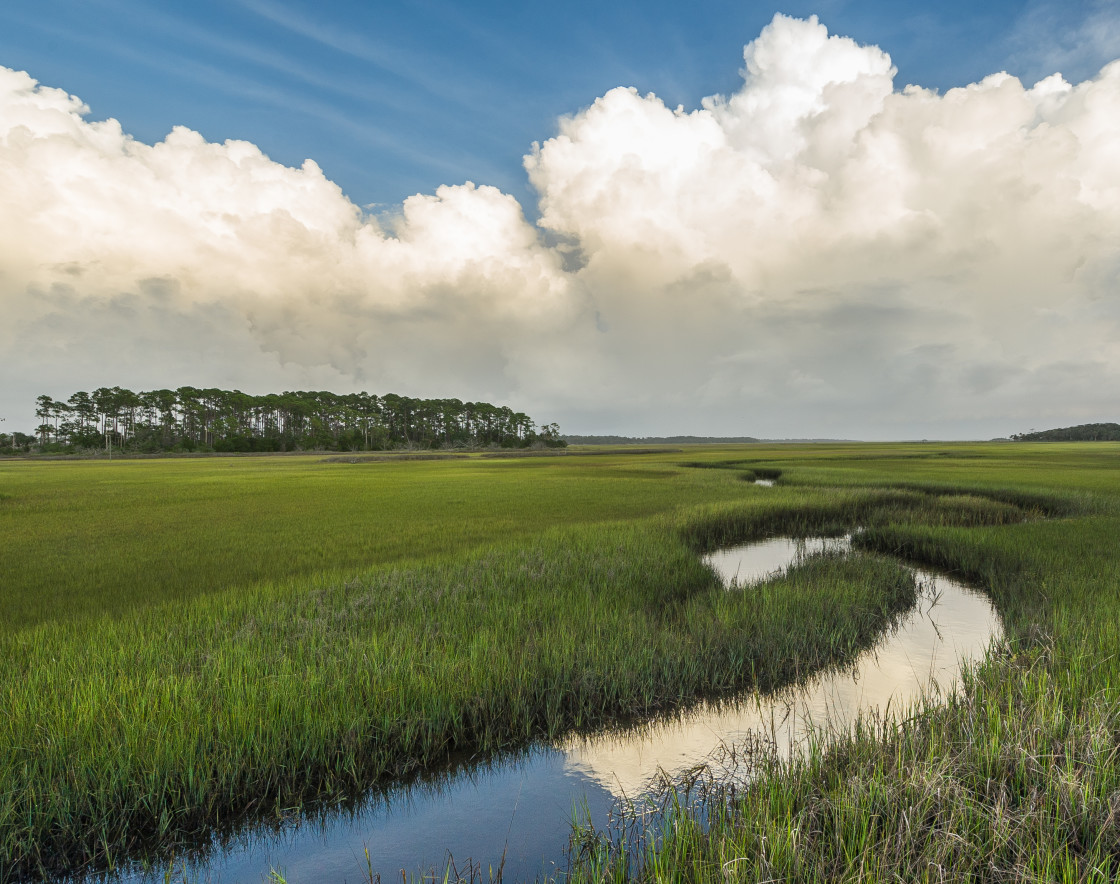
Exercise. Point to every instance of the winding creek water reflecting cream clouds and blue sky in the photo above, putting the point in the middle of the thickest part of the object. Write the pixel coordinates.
(521, 808)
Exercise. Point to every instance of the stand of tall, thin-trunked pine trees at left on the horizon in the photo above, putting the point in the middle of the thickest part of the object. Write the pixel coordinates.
(192, 420)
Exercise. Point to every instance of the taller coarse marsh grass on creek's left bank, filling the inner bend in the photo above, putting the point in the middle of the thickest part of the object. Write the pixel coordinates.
(154, 728)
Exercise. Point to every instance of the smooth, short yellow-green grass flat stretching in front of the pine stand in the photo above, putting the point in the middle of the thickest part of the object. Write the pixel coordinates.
(87, 538)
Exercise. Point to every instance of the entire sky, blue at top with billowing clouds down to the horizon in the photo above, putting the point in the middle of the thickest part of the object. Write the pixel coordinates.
(846, 219)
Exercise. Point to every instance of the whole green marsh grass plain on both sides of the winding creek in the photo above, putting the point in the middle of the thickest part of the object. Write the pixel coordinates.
(189, 643)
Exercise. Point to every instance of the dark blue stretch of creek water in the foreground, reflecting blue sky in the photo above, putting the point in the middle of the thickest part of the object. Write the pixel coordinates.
(517, 814)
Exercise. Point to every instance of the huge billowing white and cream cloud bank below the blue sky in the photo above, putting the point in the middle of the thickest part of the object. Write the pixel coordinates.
(818, 254)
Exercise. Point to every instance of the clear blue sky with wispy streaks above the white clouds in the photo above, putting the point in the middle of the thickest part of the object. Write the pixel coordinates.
(396, 99)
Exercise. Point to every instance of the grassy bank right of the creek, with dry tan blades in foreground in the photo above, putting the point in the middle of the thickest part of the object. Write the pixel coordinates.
(1016, 779)
